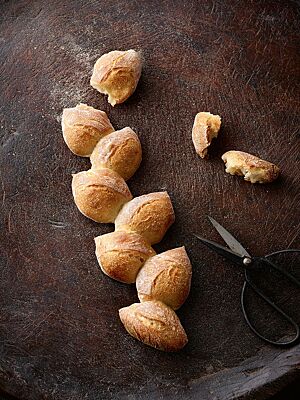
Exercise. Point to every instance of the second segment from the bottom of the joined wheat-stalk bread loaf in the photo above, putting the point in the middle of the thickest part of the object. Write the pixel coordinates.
(166, 277)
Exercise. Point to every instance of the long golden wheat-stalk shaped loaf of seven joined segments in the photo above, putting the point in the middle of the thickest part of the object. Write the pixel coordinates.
(126, 255)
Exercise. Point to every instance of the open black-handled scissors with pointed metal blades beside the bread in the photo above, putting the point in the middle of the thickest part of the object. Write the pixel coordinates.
(237, 254)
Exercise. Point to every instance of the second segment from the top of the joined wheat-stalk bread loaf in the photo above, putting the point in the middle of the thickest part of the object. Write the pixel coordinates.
(120, 151)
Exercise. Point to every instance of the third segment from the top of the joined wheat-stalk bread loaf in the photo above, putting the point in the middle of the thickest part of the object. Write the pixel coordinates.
(100, 194)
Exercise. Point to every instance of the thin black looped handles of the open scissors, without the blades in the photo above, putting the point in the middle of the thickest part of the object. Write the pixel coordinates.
(248, 282)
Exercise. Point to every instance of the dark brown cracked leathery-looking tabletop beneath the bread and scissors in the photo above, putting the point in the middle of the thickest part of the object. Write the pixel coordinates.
(60, 334)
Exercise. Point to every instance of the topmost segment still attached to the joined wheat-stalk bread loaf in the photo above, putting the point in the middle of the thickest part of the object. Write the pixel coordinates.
(83, 126)
